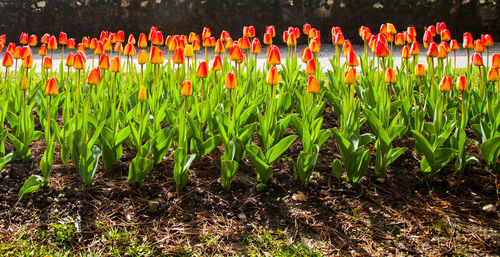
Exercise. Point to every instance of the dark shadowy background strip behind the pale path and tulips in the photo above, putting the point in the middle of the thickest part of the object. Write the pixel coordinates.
(88, 17)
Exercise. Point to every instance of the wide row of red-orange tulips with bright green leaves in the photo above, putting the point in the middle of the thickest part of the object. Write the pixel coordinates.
(170, 101)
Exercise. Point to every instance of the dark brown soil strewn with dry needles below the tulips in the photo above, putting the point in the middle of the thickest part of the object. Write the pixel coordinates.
(397, 215)
